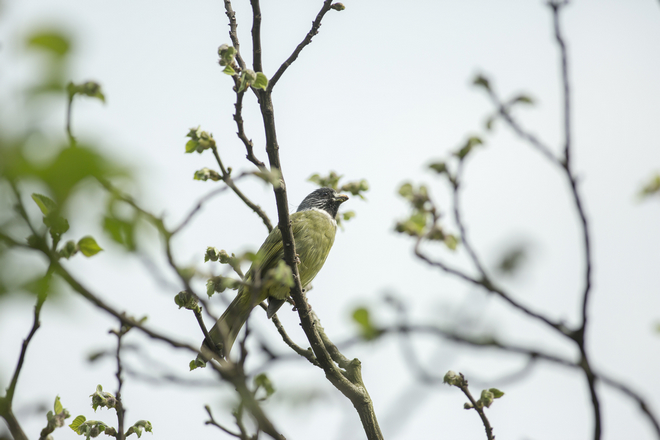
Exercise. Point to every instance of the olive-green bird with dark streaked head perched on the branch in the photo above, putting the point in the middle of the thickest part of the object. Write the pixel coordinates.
(314, 227)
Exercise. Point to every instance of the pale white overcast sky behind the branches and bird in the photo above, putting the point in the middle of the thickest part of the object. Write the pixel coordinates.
(383, 89)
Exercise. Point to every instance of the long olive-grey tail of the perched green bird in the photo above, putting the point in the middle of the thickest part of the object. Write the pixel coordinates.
(229, 324)
